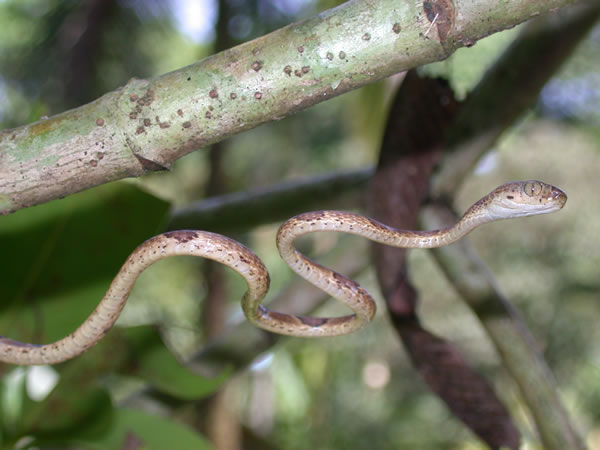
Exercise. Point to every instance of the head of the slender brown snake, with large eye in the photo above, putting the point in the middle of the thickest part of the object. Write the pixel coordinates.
(524, 198)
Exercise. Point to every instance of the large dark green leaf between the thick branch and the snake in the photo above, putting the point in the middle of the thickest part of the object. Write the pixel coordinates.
(64, 254)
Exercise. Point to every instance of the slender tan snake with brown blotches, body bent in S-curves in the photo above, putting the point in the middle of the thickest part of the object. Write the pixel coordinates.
(510, 200)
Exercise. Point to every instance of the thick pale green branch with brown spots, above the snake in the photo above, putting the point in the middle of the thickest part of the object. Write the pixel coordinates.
(148, 124)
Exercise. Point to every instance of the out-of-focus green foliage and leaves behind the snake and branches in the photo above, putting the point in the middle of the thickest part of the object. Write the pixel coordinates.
(353, 392)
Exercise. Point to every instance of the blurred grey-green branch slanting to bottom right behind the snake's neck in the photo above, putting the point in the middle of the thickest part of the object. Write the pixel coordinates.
(515, 345)
